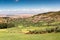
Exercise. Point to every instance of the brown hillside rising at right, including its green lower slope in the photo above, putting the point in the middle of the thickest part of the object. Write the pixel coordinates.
(48, 18)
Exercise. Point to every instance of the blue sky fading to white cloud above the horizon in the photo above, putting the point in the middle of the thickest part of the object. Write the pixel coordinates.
(28, 6)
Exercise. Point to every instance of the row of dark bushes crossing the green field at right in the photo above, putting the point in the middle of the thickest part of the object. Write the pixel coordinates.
(45, 30)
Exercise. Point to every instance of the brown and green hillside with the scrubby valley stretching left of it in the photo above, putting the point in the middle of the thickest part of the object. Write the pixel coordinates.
(42, 19)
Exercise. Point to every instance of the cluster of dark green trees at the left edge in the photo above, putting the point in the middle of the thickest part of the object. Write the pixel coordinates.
(7, 23)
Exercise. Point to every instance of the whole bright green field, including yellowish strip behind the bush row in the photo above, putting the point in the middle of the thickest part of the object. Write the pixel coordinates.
(15, 34)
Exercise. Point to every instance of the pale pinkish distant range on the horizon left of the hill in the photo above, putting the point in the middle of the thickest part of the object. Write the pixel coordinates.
(17, 15)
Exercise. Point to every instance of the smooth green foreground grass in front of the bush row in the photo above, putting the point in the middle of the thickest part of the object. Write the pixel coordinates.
(4, 35)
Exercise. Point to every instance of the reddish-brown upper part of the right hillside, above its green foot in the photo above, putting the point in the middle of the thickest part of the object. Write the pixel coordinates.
(47, 16)
